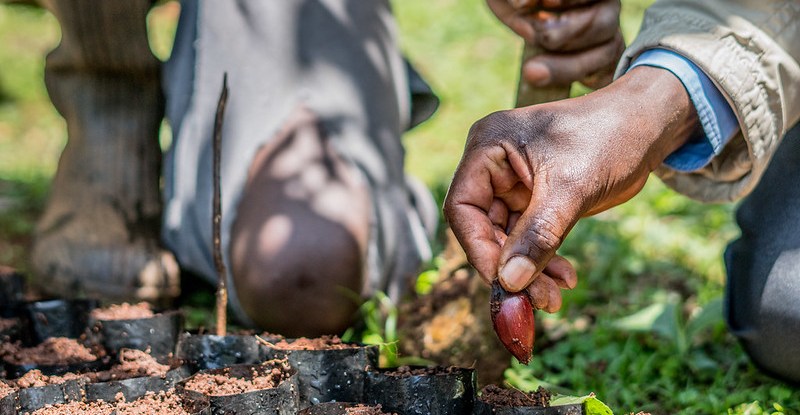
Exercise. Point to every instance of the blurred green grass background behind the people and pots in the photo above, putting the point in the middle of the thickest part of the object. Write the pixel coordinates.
(644, 328)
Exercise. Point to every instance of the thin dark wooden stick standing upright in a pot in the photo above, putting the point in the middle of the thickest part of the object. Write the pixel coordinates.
(222, 286)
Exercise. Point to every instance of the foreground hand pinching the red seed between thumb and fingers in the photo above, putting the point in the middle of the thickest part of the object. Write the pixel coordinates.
(527, 175)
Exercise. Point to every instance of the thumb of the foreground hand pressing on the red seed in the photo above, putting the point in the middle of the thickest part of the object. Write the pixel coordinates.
(535, 238)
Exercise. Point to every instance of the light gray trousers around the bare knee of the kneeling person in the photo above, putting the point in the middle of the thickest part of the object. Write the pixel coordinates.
(337, 58)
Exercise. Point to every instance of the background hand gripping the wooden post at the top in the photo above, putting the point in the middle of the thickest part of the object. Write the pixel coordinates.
(581, 39)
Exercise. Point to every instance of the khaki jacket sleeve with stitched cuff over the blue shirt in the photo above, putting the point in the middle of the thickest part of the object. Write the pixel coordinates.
(751, 50)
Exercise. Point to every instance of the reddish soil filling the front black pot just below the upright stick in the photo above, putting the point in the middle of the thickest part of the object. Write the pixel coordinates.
(224, 384)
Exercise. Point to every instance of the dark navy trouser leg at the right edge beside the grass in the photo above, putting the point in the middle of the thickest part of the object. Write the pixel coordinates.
(763, 292)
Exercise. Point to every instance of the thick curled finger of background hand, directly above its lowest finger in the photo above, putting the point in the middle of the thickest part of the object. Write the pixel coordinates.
(577, 29)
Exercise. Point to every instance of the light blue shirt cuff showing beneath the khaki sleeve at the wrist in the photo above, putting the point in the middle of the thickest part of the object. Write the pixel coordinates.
(716, 116)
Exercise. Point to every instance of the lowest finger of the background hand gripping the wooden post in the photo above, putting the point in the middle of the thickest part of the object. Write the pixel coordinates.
(562, 69)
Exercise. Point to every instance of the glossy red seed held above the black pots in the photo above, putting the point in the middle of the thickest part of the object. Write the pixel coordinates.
(512, 318)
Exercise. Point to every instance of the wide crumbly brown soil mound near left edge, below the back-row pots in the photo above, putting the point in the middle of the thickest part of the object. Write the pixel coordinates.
(55, 351)
